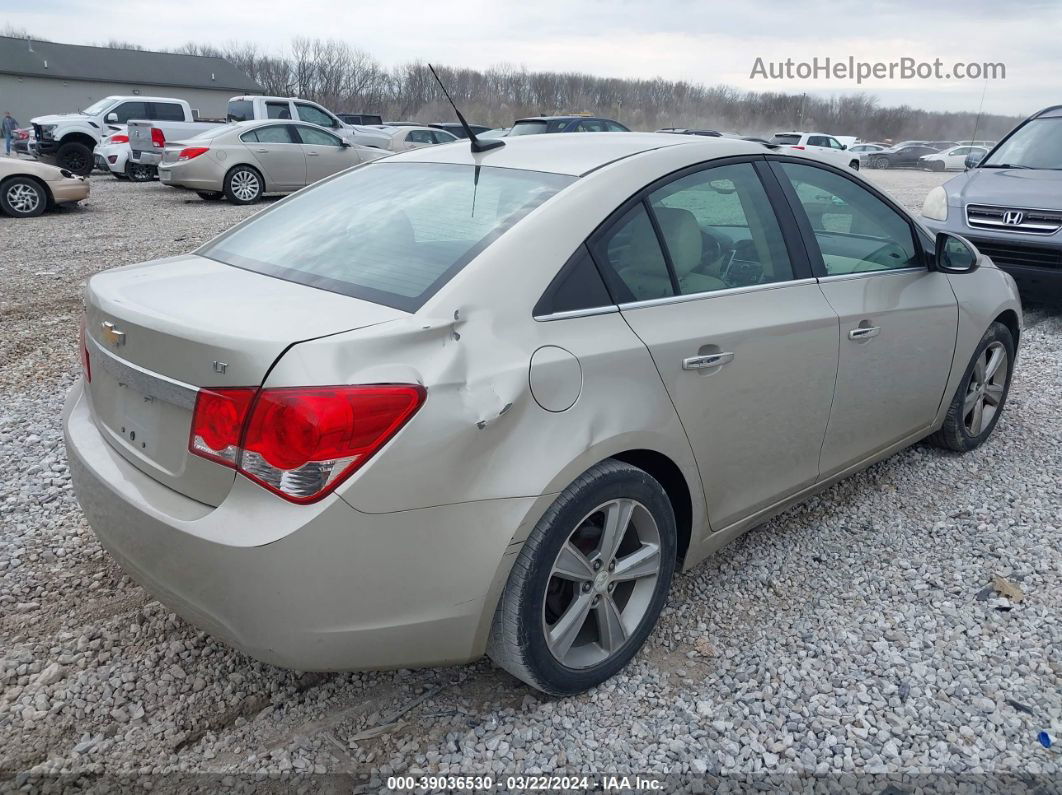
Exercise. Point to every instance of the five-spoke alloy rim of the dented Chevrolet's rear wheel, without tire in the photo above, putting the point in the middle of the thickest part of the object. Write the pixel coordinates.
(602, 584)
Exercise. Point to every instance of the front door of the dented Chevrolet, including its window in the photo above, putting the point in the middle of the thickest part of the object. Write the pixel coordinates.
(898, 319)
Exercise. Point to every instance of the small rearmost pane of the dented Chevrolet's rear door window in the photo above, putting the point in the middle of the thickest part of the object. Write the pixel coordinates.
(632, 258)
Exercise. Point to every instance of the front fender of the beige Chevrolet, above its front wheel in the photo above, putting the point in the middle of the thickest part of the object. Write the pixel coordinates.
(983, 297)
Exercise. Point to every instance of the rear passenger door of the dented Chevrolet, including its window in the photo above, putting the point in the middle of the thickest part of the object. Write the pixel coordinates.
(741, 334)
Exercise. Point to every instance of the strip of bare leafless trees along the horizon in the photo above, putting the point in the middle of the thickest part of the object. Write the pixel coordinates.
(347, 79)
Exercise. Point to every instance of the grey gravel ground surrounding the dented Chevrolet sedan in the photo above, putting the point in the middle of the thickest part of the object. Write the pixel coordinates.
(857, 633)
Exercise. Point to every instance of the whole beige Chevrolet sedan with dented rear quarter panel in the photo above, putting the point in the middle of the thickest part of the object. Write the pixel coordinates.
(454, 403)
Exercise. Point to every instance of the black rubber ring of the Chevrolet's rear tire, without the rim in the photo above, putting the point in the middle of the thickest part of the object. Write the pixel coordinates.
(630, 485)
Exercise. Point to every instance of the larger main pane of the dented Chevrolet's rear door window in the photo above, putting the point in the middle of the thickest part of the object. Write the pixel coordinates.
(721, 231)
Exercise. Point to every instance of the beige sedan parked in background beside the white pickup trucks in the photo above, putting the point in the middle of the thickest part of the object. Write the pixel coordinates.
(247, 161)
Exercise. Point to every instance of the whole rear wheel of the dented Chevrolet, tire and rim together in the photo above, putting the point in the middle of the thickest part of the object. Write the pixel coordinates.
(590, 583)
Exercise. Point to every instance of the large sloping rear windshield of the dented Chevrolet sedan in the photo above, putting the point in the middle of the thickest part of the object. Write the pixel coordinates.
(392, 234)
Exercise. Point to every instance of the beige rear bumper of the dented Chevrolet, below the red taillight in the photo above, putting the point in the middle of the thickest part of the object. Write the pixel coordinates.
(338, 591)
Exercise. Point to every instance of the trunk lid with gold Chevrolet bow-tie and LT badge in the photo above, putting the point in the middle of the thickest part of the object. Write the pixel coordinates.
(160, 332)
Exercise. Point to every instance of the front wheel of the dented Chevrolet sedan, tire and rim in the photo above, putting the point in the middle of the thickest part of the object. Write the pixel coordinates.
(980, 400)
